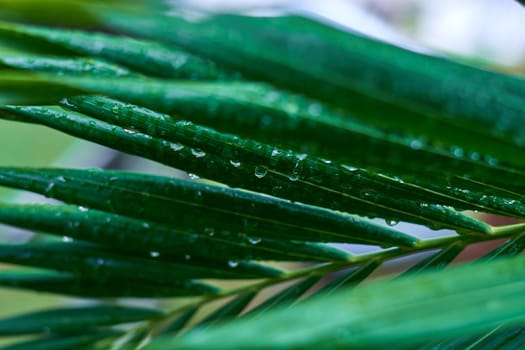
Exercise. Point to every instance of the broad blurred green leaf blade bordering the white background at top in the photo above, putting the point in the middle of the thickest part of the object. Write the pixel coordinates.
(365, 76)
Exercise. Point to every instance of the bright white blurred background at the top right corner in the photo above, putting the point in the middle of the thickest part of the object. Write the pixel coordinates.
(492, 31)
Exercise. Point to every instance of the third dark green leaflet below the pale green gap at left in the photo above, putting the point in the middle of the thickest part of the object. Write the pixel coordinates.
(93, 261)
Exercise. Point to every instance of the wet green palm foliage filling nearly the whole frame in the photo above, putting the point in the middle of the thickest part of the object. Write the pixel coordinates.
(301, 134)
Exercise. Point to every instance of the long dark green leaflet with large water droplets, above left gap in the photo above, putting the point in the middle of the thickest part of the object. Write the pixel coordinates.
(285, 175)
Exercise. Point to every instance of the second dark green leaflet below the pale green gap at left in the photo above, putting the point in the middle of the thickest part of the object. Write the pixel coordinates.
(124, 233)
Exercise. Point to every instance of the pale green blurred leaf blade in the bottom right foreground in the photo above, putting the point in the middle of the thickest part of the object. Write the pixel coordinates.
(488, 293)
